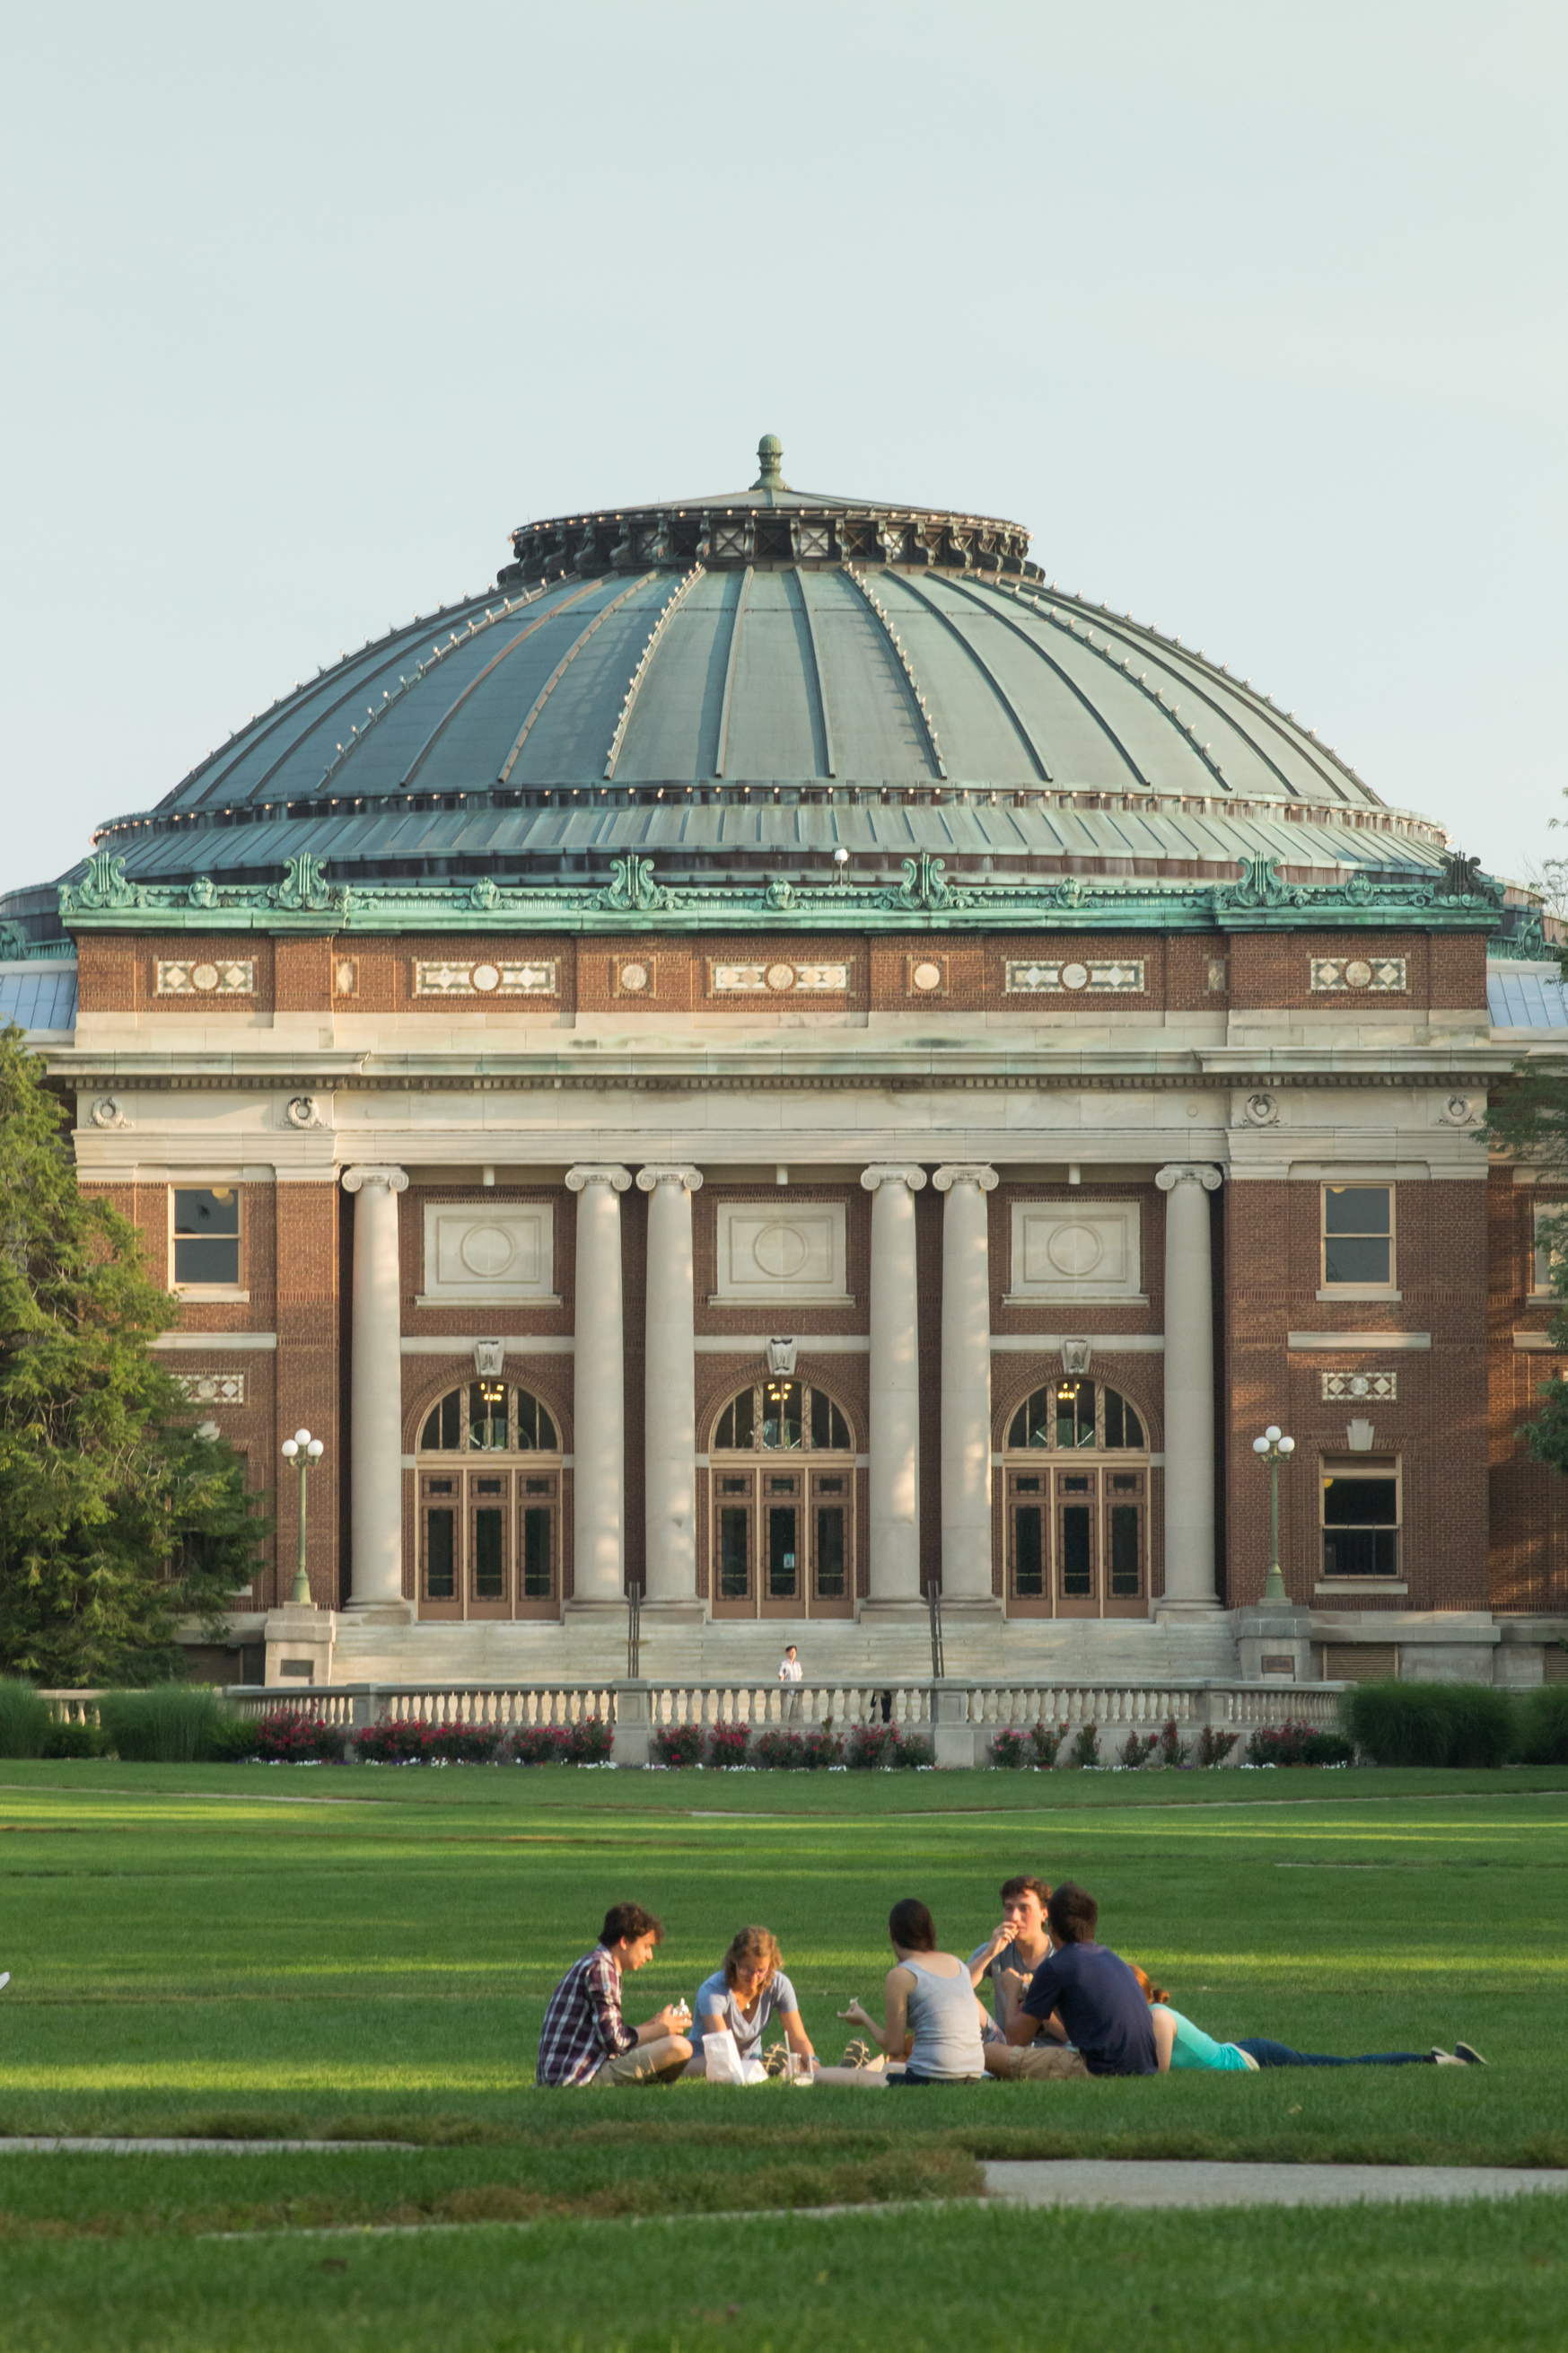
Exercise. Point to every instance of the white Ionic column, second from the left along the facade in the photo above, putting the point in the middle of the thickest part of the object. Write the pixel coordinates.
(598, 1389)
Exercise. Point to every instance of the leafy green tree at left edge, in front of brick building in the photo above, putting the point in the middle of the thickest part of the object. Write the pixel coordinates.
(116, 1517)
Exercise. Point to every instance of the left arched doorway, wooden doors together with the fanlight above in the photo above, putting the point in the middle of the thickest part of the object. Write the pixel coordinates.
(488, 1505)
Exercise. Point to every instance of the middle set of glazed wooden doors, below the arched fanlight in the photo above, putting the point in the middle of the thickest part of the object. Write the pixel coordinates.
(784, 1540)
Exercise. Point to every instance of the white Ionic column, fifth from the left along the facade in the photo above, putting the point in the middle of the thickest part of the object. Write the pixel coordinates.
(967, 1385)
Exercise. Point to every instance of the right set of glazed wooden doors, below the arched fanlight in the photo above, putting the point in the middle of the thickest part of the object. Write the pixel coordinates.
(1078, 1540)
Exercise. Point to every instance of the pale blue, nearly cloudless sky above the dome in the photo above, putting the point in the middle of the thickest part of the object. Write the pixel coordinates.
(1254, 314)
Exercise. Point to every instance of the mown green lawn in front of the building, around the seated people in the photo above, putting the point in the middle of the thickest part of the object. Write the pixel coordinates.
(368, 1952)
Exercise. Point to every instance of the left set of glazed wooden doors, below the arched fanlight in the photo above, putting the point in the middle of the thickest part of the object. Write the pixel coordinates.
(490, 1542)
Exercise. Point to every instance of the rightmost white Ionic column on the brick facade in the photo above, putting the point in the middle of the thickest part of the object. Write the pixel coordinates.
(1191, 1467)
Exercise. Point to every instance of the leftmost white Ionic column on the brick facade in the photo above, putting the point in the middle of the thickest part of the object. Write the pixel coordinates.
(375, 1397)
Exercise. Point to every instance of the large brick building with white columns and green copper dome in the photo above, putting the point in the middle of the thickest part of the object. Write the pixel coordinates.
(782, 1065)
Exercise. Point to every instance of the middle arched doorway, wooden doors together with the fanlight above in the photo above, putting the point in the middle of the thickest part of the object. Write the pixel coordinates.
(782, 1531)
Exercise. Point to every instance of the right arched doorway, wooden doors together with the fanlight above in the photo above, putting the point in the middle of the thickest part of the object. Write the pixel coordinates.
(1078, 1531)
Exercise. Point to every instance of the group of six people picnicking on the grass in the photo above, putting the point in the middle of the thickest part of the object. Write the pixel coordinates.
(1061, 2006)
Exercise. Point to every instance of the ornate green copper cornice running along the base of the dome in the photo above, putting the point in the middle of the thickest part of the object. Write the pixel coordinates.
(634, 900)
